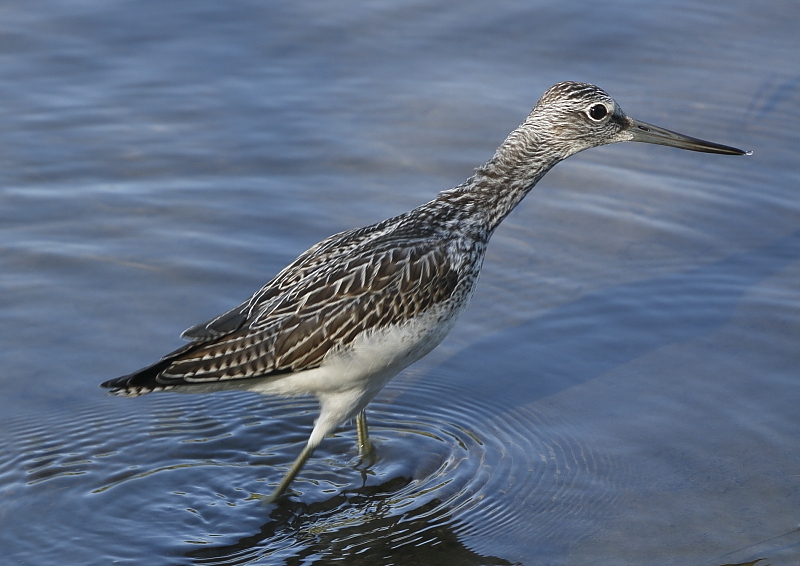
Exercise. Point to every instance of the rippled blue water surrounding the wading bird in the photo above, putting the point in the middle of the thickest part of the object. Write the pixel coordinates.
(623, 389)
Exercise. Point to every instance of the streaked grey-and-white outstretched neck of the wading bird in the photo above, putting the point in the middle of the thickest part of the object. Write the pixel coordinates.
(500, 184)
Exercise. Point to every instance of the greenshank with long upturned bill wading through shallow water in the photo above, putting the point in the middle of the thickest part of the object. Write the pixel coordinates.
(355, 309)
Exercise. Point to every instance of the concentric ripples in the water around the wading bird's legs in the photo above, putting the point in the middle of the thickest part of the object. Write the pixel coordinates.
(452, 473)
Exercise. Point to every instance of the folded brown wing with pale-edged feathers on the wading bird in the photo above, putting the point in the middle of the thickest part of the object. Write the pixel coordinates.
(319, 303)
